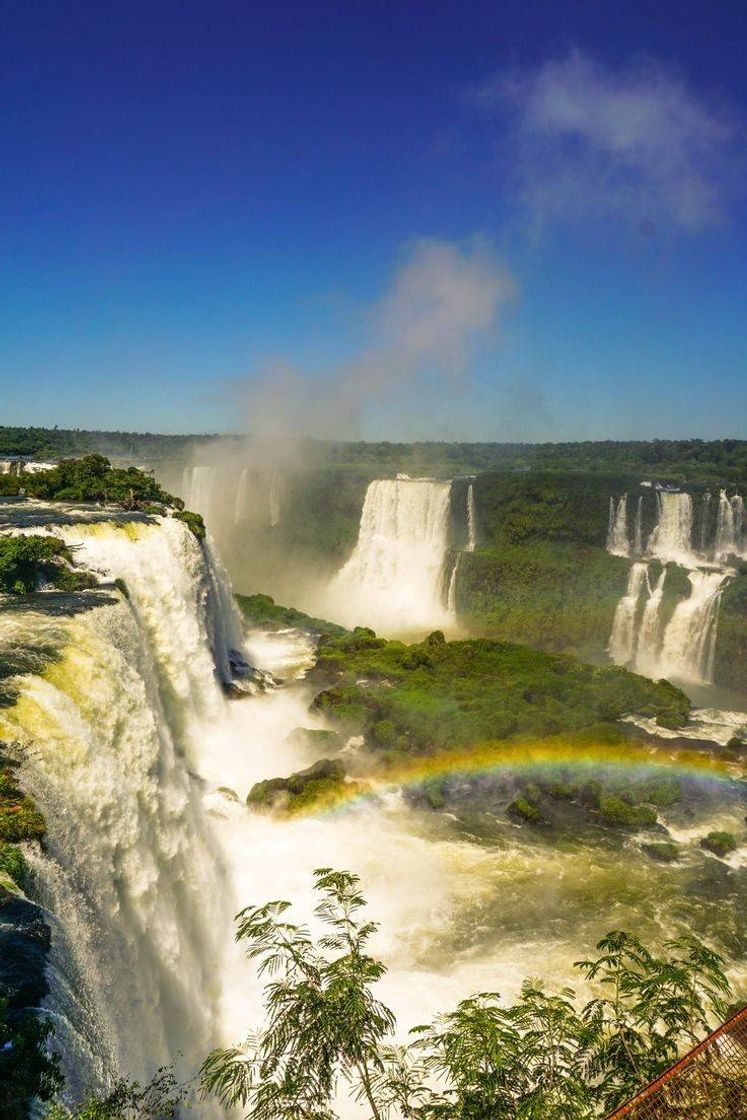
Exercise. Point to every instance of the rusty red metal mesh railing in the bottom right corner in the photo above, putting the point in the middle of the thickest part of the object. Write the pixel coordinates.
(709, 1084)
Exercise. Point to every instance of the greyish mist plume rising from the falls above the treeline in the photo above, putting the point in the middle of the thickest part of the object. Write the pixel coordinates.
(443, 306)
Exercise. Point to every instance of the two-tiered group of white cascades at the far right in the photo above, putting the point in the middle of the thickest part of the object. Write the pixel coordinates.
(684, 646)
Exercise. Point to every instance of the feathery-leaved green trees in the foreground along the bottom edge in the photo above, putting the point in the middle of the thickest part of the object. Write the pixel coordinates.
(549, 1057)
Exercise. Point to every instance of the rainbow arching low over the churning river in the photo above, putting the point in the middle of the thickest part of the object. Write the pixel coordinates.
(550, 757)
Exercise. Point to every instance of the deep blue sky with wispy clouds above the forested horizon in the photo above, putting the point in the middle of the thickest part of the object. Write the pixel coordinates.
(198, 199)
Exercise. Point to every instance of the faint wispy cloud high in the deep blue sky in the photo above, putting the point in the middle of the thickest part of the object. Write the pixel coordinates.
(634, 145)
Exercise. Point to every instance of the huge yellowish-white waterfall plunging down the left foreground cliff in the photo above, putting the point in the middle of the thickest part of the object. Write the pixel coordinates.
(139, 902)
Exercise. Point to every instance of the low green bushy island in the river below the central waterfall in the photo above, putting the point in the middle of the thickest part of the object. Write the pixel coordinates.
(435, 695)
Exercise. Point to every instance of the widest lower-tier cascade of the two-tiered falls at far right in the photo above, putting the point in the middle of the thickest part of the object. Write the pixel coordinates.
(689, 642)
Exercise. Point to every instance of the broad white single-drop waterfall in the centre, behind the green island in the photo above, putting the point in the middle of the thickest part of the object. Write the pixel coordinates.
(396, 580)
